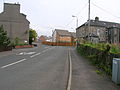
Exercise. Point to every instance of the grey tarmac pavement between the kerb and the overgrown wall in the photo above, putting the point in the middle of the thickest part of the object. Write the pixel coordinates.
(84, 76)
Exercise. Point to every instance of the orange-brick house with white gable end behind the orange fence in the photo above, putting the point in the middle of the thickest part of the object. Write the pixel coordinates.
(61, 36)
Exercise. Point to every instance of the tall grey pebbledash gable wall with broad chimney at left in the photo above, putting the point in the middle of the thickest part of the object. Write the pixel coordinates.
(15, 23)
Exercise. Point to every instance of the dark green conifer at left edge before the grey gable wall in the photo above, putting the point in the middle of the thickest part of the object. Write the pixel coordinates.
(4, 40)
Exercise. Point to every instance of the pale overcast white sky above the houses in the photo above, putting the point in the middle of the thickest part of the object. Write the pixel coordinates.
(47, 15)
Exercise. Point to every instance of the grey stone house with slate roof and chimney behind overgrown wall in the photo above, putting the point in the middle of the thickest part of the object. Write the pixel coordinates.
(97, 28)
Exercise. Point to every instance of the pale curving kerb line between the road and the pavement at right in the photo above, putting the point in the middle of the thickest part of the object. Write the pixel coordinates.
(70, 72)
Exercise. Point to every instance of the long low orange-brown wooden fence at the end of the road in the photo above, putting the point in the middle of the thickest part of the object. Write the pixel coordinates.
(59, 43)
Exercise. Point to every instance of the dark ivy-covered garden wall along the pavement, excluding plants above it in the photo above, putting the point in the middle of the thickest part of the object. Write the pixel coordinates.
(101, 58)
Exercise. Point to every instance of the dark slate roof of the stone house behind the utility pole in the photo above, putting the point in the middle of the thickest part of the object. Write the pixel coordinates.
(101, 24)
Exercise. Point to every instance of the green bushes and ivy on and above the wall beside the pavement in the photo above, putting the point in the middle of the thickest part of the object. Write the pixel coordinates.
(99, 58)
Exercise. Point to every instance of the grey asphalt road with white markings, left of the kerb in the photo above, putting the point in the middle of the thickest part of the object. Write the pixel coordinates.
(43, 68)
